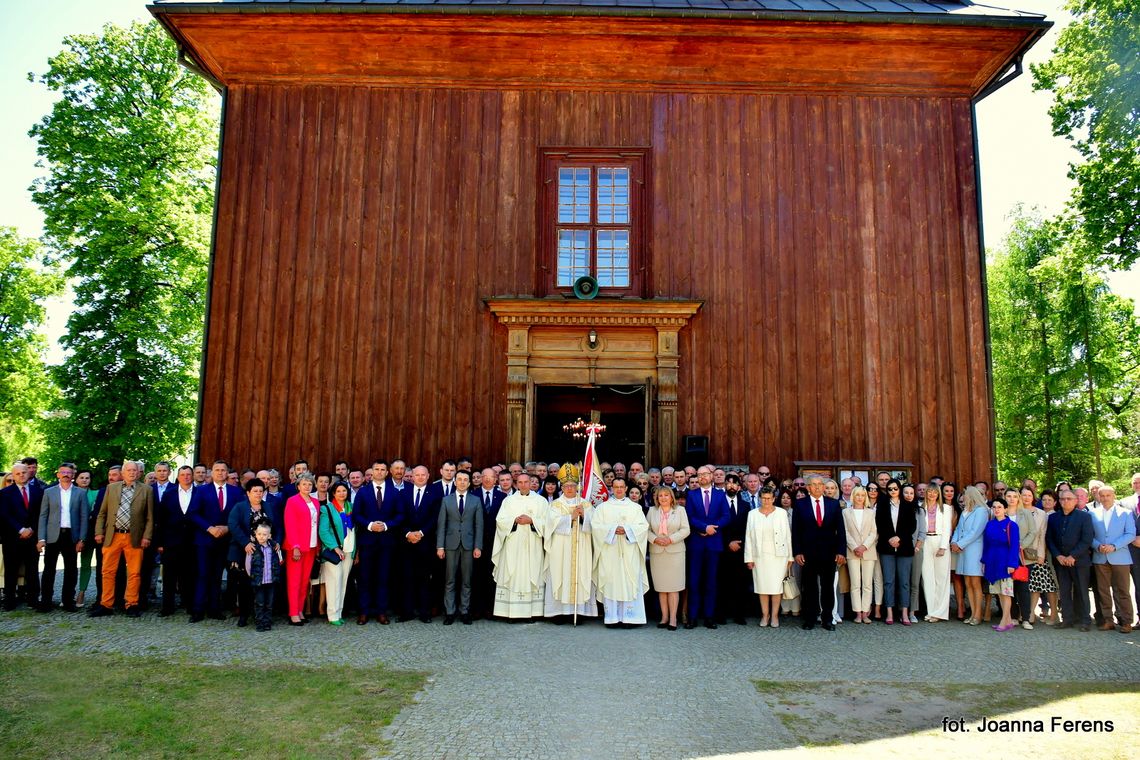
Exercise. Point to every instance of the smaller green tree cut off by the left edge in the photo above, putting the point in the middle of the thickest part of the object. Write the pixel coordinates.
(26, 389)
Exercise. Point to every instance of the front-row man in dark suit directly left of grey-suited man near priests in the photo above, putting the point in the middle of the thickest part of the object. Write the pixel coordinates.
(418, 545)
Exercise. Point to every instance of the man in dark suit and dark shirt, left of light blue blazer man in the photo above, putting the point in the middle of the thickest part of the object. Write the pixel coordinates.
(1069, 537)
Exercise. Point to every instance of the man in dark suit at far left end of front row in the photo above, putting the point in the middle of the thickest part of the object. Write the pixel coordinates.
(20, 516)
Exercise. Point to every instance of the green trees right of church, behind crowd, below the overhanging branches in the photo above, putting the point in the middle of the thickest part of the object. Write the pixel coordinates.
(1066, 361)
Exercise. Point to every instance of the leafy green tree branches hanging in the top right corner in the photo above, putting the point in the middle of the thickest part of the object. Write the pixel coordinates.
(1095, 76)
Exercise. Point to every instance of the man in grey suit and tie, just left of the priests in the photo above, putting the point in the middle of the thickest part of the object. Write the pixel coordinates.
(460, 541)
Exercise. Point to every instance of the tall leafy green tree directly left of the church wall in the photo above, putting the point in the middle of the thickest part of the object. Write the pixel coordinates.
(131, 149)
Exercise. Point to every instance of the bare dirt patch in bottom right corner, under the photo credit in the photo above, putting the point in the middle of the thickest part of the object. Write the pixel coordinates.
(893, 720)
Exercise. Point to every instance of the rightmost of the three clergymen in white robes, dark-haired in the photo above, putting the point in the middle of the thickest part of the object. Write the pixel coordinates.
(621, 537)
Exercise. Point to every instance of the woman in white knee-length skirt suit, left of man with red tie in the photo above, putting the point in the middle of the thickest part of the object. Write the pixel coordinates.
(768, 554)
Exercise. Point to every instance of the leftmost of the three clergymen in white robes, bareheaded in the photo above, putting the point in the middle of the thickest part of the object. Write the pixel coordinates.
(518, 553)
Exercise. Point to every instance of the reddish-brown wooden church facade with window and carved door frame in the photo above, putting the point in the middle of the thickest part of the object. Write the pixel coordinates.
(778, 199)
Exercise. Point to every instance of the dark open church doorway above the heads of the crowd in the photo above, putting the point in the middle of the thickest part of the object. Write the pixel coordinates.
(621, 408)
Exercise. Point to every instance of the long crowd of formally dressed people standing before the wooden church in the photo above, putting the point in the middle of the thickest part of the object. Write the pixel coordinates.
(686, 546)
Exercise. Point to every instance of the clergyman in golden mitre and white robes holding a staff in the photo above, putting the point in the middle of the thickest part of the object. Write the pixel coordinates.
(569, 552)
